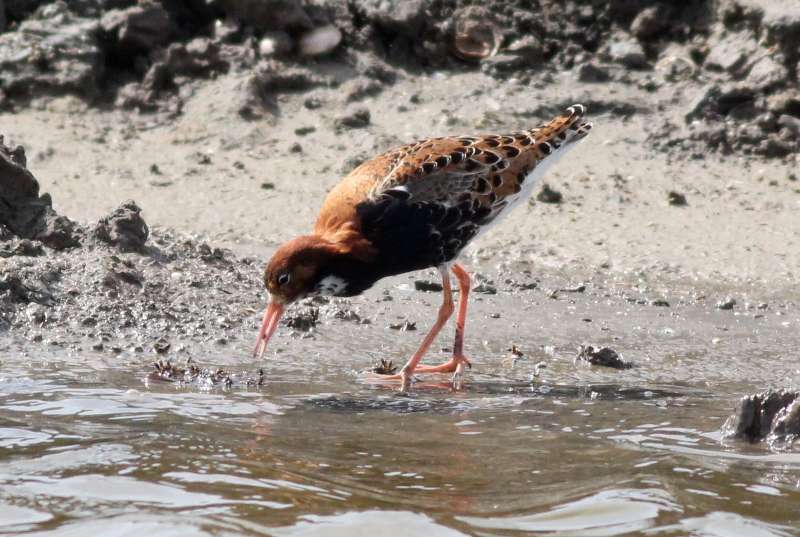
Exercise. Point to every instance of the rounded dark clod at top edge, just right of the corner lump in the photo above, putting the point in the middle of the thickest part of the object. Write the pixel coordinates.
(143, 27)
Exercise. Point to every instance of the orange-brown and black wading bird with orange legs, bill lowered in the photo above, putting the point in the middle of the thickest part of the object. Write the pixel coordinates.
(412, 208)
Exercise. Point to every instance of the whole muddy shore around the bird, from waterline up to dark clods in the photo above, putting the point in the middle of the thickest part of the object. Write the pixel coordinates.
(671, 236)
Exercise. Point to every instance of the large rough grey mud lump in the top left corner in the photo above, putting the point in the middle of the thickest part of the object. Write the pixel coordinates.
(53, 51)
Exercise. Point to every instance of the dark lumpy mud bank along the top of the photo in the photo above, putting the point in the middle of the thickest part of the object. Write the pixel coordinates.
(740, 56)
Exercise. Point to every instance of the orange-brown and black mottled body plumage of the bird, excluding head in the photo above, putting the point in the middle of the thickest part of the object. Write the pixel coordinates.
(419, 205)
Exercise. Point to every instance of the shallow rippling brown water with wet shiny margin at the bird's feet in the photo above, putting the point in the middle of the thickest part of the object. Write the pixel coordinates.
(88, 446)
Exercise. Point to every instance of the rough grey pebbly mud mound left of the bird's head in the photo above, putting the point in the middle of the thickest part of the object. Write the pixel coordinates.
(117, 287)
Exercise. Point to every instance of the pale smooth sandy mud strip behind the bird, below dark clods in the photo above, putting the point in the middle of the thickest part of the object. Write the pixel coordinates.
(740, 227)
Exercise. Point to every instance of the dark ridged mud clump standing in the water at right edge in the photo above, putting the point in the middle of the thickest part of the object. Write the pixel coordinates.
(773, 416)
